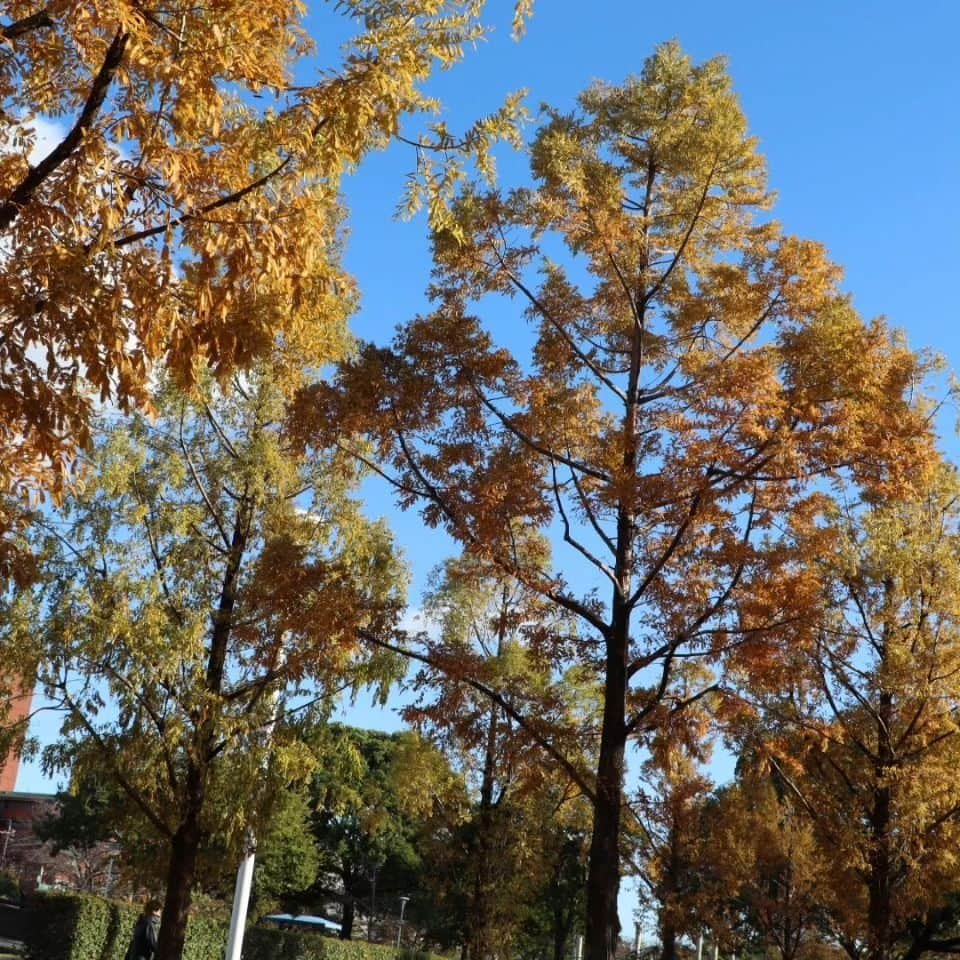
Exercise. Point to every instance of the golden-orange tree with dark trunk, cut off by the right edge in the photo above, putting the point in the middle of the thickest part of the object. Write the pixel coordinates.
(866, 739)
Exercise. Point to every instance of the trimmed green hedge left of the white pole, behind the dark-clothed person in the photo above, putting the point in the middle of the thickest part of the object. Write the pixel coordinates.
(78, 927)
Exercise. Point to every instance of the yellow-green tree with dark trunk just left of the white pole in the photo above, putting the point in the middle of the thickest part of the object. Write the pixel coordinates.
(204, 570)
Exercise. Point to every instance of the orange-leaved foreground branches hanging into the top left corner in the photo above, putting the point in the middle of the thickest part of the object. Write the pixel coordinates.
(187, 212)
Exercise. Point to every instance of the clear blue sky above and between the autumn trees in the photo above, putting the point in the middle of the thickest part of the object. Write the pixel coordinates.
(856, 107)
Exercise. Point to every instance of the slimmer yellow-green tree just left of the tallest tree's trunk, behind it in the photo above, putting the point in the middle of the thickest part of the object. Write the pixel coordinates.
(511, 863)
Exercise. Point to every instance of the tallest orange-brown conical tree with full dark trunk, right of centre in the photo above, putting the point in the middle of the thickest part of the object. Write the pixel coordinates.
(630, 354)
